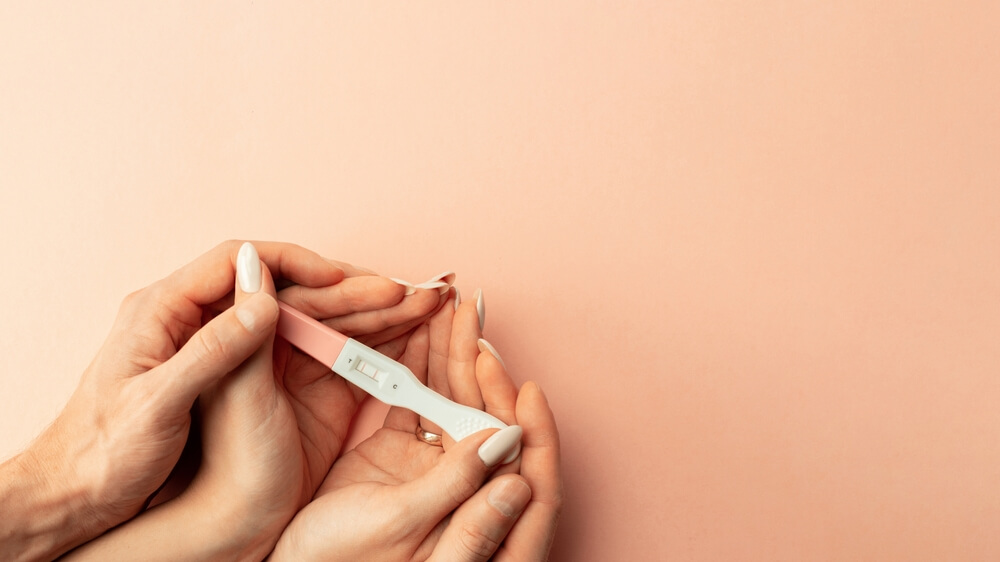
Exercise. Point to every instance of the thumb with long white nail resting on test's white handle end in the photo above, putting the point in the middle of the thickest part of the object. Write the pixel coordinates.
(459, 473)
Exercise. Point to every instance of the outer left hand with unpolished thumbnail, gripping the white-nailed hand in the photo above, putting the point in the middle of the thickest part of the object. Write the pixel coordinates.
(126, 424)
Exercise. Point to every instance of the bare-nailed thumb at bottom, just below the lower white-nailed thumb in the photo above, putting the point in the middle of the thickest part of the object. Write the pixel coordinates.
(479, 526)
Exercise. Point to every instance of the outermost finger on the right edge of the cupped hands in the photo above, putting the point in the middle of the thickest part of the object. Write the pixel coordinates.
(531, 537)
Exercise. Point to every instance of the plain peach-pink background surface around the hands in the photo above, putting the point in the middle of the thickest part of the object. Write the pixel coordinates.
(750, 250)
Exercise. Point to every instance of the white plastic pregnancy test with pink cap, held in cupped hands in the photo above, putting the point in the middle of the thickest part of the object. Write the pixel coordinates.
(387, 380)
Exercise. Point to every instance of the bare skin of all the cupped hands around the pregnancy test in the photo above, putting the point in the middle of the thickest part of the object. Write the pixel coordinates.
(272, 423)
